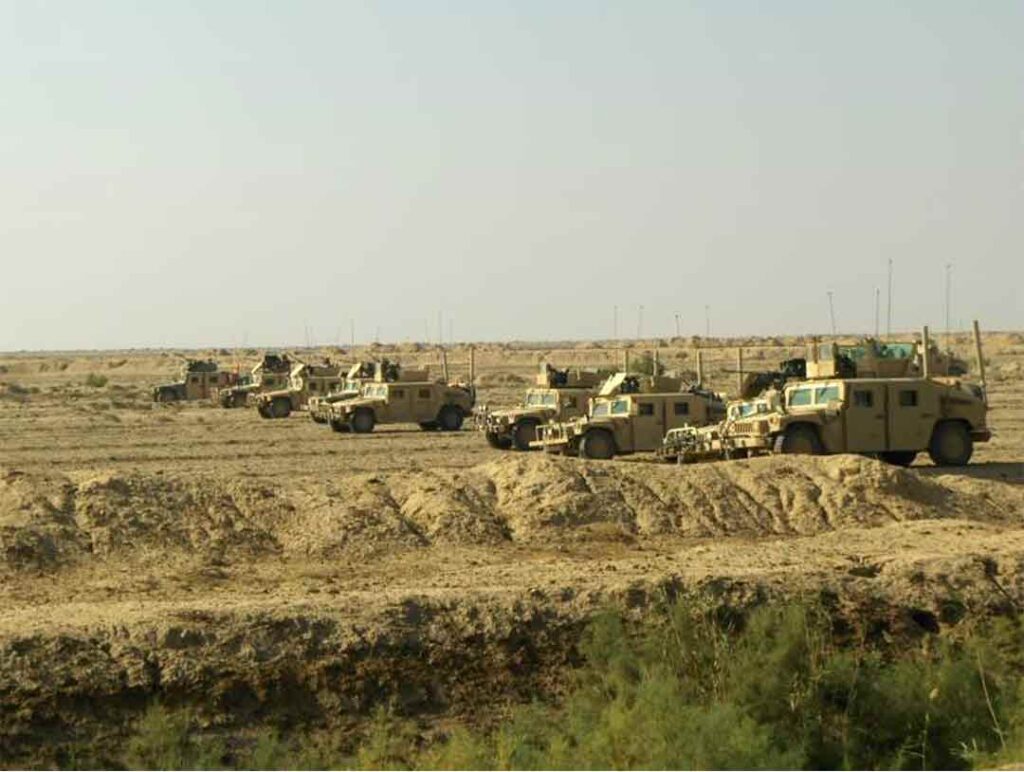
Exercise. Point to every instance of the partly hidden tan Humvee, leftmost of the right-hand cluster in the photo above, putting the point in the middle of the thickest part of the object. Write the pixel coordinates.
(559, 396)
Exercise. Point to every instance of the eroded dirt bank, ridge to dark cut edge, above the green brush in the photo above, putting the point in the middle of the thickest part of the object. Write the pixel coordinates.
(451, 592)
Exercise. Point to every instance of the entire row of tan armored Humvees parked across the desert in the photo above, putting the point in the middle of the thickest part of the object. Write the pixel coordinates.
(893, 401)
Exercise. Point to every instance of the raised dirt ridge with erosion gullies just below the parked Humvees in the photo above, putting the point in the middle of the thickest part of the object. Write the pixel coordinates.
(52, 522)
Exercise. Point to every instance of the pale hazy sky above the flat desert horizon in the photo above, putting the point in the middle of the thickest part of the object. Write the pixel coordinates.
(206, 174)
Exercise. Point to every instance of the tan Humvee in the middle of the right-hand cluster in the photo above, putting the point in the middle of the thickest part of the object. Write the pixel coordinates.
(631, 414)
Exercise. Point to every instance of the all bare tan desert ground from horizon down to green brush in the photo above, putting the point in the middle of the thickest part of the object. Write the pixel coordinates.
(277, 571)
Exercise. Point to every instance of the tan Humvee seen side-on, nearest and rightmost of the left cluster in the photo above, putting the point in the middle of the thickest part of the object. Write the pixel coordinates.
(413, 399)
